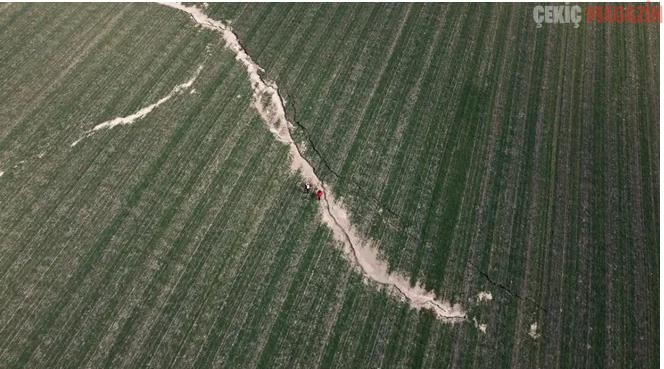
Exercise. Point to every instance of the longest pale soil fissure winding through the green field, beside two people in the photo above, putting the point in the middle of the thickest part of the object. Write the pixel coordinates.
(361, 252)
